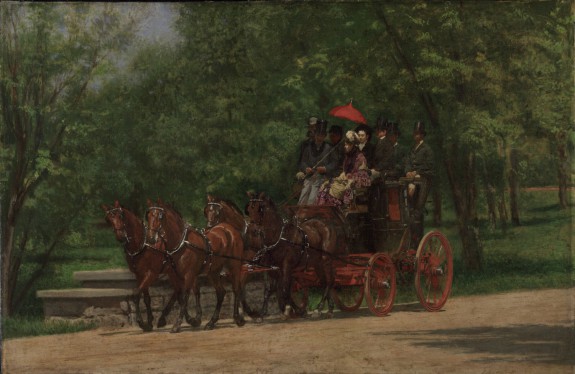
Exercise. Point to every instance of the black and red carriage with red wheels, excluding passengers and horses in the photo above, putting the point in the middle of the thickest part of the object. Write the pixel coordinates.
(377, 236)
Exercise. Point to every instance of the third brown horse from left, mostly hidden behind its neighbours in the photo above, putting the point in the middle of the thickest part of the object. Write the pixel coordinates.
(219, 210)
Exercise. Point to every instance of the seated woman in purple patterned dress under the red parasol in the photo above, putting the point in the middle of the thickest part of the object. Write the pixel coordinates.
(338, 190)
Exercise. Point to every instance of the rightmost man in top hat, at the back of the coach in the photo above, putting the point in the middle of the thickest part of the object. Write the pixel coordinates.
(419, 166)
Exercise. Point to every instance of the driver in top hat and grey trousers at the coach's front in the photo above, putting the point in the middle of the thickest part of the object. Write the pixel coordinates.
(316, 164)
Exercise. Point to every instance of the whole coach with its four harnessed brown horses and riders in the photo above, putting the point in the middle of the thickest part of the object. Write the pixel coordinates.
(363, 227)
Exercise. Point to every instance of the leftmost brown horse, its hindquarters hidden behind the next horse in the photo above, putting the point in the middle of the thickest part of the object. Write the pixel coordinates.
(146, 263)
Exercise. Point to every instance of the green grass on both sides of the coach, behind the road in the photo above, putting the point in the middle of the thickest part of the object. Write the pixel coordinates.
(535, 255)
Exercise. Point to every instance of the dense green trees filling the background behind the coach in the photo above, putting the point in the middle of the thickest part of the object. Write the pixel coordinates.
(223, 107)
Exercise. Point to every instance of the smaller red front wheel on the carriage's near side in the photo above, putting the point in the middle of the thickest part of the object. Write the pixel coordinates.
(380, 284)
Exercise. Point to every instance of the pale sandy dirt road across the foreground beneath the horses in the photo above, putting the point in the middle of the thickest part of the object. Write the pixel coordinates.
(521, 332)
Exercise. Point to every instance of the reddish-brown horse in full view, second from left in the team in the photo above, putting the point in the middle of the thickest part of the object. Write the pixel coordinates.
(194, 252)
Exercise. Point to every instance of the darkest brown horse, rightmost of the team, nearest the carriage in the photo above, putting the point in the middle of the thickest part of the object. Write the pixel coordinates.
(295, 246)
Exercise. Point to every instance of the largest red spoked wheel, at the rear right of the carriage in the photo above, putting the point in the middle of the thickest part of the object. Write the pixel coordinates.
(434, 274)
